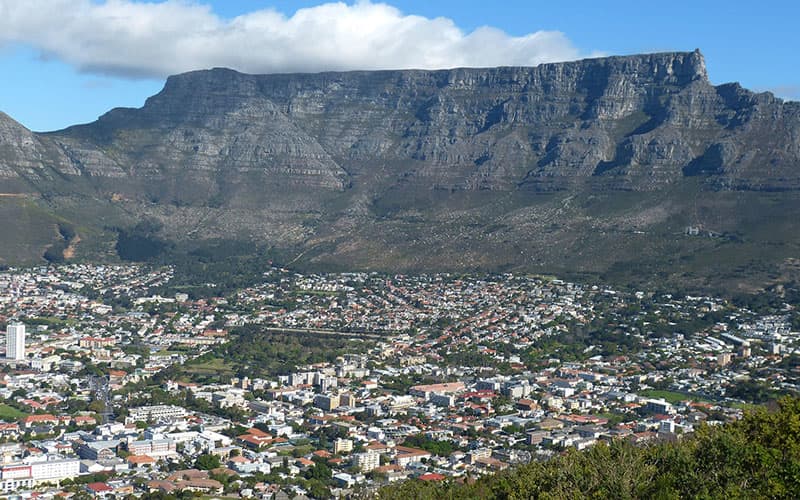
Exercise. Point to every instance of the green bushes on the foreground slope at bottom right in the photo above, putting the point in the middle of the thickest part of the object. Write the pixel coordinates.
(757, 457)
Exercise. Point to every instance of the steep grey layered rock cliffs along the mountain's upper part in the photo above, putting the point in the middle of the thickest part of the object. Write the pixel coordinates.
(634, 122)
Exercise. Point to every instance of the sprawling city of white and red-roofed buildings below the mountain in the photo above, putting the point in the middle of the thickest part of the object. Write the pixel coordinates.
(462, 376)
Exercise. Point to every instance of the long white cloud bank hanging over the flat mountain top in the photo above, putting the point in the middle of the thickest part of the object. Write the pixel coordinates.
(129, 38)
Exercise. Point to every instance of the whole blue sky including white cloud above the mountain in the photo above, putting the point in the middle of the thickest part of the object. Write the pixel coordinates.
(58, 73)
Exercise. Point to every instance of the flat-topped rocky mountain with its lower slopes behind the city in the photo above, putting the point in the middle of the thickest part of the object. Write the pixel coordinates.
(556, 166)
